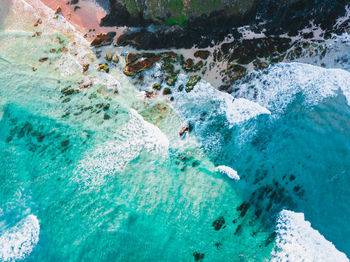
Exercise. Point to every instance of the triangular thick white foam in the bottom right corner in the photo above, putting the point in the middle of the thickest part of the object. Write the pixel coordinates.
(297, 241)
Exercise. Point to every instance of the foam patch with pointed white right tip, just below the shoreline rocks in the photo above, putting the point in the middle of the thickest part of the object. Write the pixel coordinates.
(204, 96)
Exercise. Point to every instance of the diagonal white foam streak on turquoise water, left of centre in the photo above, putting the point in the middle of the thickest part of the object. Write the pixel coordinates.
(112, 156)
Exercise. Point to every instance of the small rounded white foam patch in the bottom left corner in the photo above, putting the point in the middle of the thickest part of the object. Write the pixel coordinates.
(18, 242)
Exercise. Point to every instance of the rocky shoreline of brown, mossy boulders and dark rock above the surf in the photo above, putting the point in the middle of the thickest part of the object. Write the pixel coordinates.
(221, 63)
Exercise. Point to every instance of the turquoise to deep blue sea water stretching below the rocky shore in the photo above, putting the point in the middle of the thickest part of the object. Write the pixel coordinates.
(127, 188)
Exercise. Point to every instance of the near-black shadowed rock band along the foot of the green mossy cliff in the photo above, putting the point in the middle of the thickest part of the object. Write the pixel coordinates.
(274, 17)
